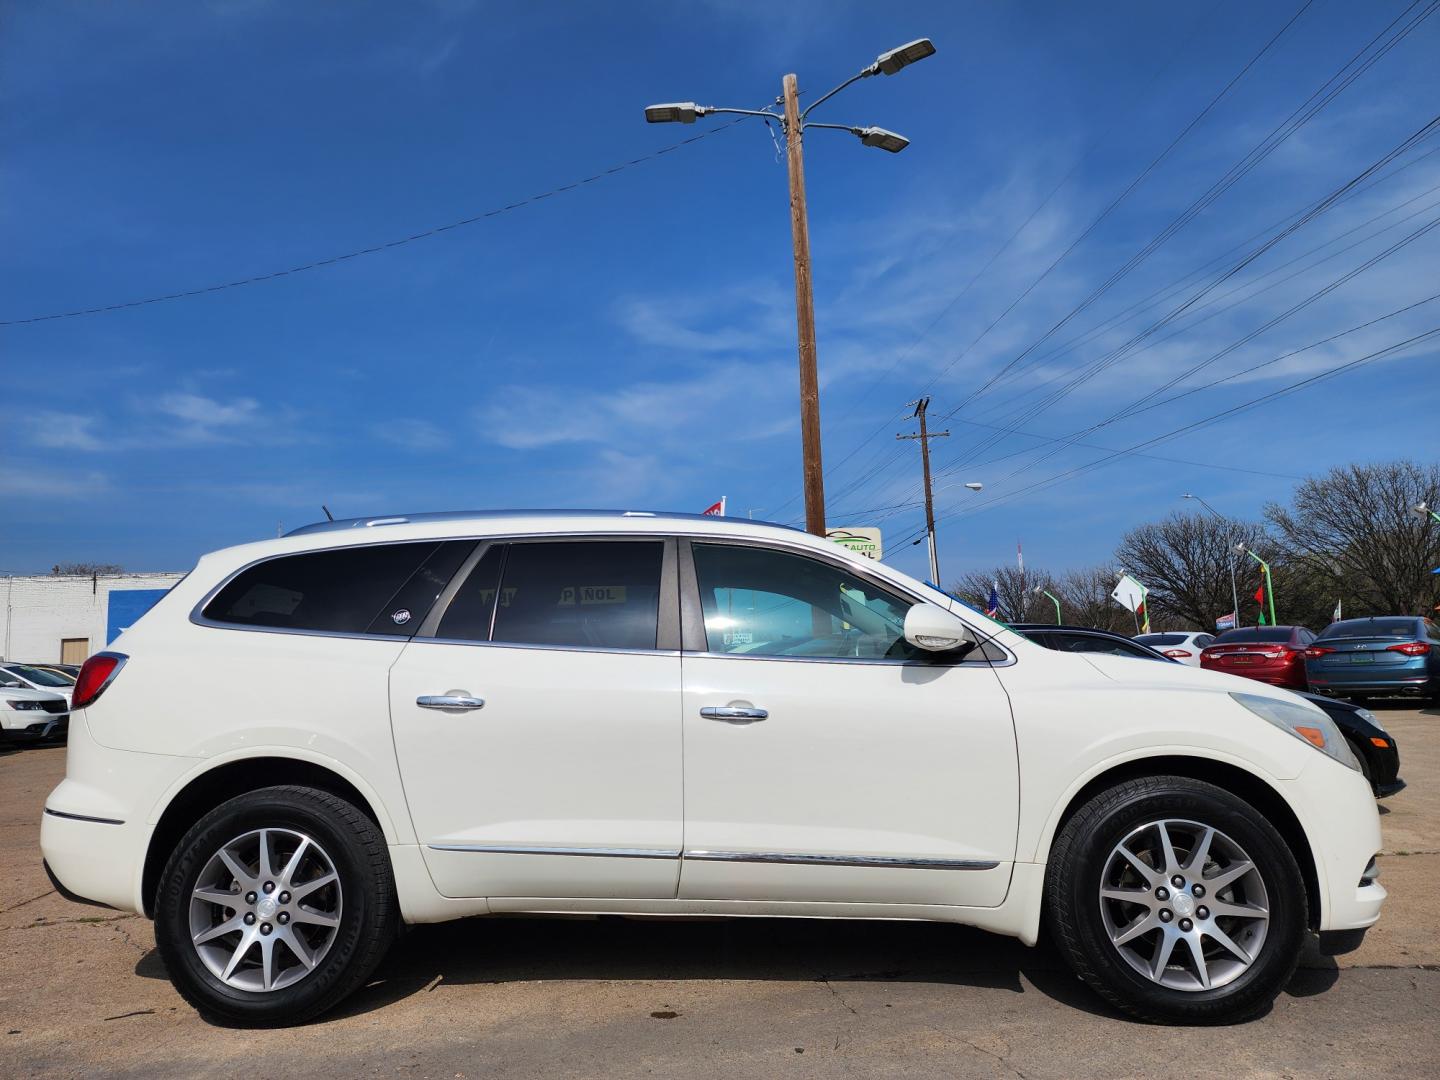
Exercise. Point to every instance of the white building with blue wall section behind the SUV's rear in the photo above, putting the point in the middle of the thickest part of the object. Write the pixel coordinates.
(64, 618)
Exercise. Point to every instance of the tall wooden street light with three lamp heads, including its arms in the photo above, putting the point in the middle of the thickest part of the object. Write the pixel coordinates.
(793, 123)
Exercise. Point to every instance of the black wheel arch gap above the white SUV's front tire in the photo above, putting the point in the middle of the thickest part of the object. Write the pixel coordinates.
(1232, 778)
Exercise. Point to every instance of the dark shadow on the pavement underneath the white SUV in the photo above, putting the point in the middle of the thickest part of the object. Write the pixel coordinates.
(608, 948)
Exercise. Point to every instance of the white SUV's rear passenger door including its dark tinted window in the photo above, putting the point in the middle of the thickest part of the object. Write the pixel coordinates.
(567, 781)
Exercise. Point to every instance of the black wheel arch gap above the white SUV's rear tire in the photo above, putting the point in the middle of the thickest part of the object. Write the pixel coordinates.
(208, 790)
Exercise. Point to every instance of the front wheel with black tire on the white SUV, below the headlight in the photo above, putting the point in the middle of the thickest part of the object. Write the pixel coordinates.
(1086, 856)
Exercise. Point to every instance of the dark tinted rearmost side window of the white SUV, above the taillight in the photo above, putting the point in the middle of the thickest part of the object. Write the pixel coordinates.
(345, 591)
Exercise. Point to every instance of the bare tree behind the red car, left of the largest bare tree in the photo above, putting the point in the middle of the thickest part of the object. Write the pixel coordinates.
(1187, 562)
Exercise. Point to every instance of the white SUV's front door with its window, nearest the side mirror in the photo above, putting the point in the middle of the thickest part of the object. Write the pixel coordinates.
(868, 781)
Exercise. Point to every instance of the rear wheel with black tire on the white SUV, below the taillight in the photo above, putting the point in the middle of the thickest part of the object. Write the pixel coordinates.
(214, 889)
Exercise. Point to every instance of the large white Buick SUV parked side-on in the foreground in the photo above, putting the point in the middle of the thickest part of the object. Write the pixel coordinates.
(313, 739)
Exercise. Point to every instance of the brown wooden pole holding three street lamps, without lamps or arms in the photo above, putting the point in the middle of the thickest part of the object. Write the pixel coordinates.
(804, 315)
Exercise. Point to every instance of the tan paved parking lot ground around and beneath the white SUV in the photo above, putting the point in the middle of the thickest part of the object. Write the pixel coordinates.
(83, 990)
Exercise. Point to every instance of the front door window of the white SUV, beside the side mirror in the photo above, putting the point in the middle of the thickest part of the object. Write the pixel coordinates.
(774, 604)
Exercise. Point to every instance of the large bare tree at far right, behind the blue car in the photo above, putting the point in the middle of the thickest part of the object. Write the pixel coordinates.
(1354, 531)
